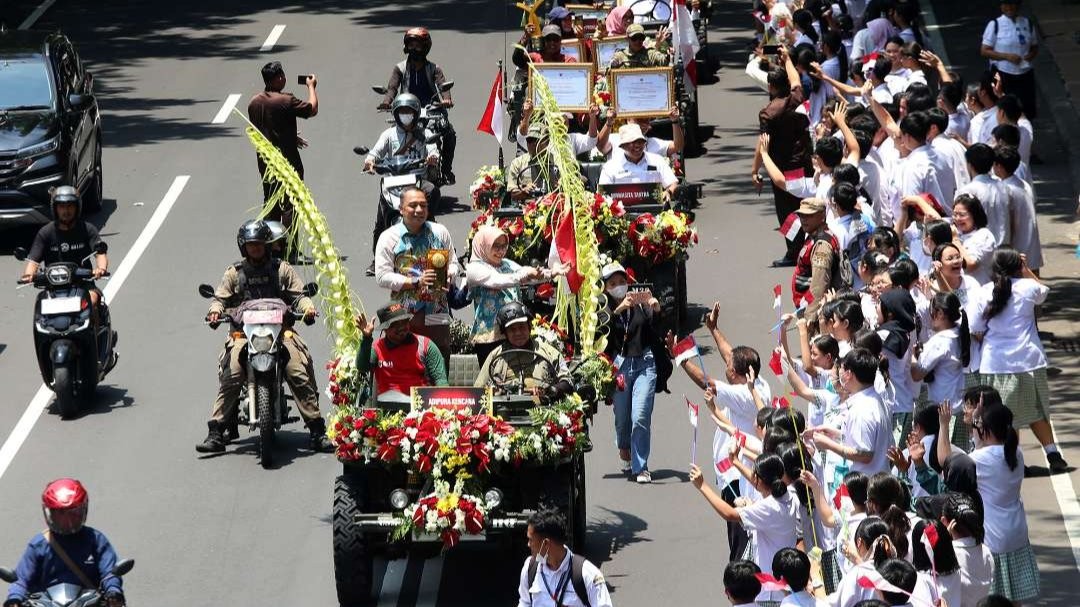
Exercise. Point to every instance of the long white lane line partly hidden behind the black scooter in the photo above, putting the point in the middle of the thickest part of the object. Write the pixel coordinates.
(40, 401)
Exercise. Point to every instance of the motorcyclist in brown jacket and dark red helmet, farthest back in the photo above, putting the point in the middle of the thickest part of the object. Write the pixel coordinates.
(423, 79)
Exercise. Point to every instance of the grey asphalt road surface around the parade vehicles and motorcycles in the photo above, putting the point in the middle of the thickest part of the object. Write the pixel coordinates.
(221, 531)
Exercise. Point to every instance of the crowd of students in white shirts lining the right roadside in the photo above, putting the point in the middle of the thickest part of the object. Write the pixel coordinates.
(901, 484)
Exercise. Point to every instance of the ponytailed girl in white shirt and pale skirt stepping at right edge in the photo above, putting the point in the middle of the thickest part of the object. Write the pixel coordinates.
(1014, 361)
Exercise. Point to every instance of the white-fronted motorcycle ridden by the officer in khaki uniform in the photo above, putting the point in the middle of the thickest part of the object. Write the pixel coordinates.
(263, 323)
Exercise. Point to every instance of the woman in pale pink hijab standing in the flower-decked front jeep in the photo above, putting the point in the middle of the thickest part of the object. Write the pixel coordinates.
(493, 284)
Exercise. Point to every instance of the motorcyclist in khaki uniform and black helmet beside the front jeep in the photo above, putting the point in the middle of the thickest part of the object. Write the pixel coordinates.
(260, 276)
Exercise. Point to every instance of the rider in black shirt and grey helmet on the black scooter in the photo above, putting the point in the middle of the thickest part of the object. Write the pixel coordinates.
(70, 239)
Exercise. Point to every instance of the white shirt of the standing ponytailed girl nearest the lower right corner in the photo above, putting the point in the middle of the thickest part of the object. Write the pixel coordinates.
(1004, 517)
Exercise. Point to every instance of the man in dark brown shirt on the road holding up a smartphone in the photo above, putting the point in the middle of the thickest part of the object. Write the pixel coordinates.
(275, 114)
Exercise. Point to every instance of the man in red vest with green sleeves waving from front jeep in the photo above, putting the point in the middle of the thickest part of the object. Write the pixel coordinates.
(401, 359)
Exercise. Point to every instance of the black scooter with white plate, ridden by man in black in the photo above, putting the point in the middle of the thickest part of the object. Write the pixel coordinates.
(74, 356)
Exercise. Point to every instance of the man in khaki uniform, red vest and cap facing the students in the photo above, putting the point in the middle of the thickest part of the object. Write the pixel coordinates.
(817, 268)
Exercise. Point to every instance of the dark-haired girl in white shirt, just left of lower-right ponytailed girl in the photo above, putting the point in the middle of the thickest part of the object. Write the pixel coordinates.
(964, 519)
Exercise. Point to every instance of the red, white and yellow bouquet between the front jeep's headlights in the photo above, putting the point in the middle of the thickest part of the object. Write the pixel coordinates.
(449, 514)
